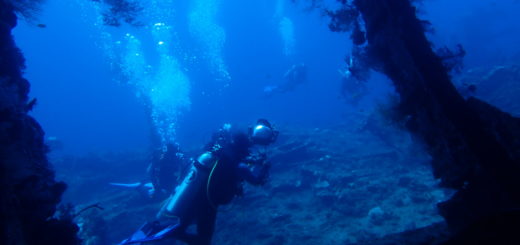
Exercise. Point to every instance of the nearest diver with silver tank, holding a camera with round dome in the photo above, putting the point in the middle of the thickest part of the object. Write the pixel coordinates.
(215, 178)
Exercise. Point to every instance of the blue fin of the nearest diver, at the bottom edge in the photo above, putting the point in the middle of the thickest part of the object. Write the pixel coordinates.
(148, 233)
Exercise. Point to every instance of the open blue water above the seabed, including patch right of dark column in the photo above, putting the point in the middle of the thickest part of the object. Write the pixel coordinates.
(85, 100)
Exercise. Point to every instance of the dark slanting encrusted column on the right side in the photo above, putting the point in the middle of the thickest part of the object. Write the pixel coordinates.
(474, 146)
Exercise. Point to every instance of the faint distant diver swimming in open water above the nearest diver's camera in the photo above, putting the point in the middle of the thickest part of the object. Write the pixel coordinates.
(295, 76)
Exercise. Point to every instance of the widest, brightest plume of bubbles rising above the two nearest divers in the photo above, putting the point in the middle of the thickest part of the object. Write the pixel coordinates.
(164, 87)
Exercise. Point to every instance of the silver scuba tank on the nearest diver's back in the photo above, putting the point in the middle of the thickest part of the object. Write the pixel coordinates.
(193, 185)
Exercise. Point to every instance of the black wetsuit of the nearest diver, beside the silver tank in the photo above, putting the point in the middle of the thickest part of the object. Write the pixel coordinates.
(225, 182)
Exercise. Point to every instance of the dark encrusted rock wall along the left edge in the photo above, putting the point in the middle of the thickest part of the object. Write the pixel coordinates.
(29, 193)
